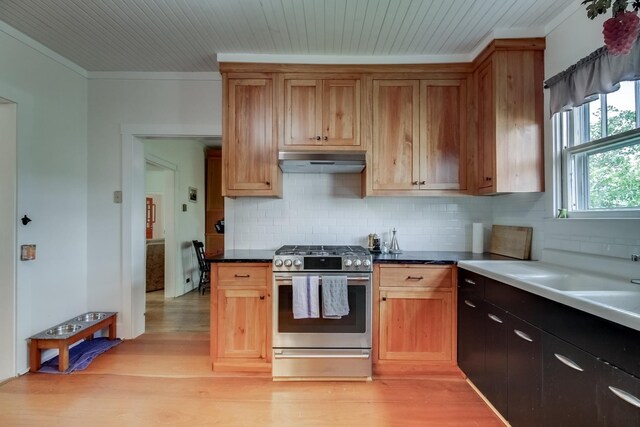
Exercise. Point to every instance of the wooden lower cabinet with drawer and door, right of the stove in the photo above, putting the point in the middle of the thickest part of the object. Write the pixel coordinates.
(414, 319)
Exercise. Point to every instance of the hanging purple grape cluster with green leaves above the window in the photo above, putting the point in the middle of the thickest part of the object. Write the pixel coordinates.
(620, 31)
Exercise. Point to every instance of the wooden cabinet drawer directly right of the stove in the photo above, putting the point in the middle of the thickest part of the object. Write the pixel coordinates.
(425, 277)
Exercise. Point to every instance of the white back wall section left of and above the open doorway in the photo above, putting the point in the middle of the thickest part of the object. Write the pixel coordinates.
(116, 102)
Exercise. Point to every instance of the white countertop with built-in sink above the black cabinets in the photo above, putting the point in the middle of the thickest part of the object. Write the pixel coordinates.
(610, 297)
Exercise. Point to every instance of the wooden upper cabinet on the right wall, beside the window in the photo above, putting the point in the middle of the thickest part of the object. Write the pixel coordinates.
(510, 119)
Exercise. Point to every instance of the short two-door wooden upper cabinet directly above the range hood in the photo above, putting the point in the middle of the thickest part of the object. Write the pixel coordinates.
(321, 112)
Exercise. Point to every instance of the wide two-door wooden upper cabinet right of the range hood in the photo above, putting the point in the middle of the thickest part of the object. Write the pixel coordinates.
(418, 136)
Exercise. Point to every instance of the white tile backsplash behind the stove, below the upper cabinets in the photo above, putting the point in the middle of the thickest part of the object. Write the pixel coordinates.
(327, 209)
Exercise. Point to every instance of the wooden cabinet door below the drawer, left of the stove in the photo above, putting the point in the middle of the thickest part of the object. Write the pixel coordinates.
(242, 323)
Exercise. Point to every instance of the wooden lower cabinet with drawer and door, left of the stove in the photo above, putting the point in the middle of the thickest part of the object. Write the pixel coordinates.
(241, 317)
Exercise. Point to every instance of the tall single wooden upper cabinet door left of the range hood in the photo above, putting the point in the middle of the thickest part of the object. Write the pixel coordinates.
(252, 149)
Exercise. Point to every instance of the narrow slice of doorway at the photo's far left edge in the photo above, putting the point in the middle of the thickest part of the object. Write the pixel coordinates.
(8, 238)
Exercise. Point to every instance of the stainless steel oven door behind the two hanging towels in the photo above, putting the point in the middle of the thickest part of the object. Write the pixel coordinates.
(351, 331)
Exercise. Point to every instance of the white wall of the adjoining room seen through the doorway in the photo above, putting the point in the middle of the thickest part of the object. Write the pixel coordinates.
(188, 156)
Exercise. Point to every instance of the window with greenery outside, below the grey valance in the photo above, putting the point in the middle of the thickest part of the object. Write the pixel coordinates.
(600, 145)
